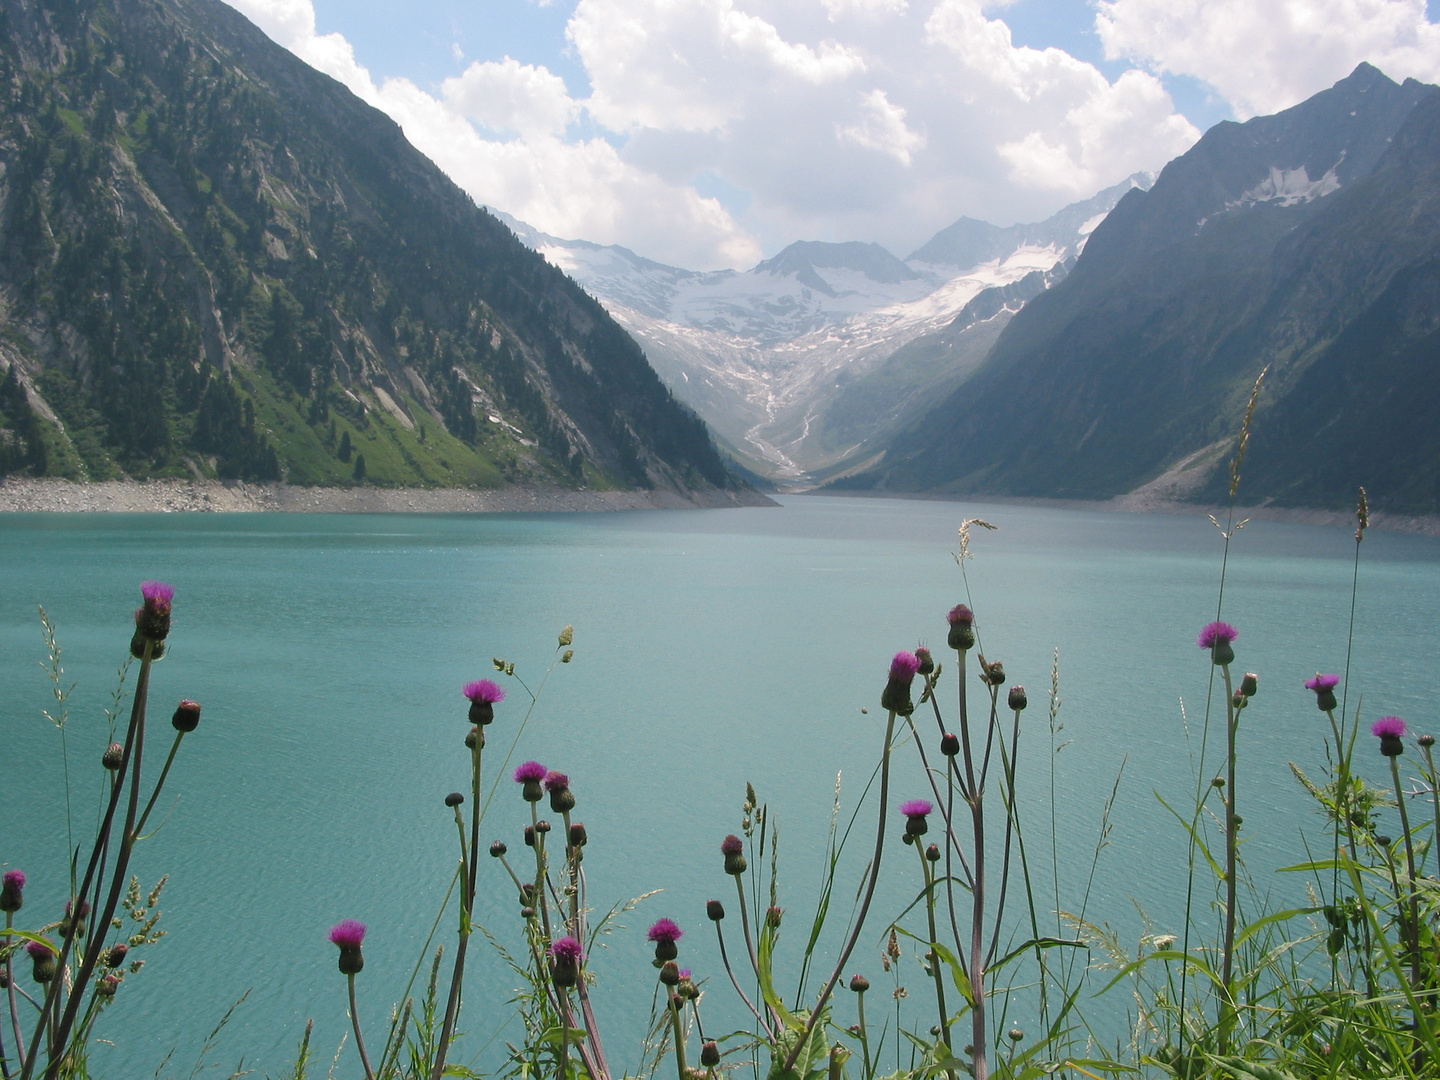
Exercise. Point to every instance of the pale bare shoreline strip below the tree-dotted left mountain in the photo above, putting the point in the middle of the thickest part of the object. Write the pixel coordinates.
(30, 496)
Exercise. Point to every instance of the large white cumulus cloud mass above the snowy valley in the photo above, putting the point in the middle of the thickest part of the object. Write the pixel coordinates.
(872, 120)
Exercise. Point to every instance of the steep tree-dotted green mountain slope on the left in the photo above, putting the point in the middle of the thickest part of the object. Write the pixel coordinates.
(217, 261)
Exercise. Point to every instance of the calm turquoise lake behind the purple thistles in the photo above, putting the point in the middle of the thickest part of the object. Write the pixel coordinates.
(712, 649)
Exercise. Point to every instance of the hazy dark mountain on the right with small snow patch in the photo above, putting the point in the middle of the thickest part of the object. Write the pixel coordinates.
(1307, 243)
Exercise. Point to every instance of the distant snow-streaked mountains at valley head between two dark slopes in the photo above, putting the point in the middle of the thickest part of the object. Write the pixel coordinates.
(790, 362)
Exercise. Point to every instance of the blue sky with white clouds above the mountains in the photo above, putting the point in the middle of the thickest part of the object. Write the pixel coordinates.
(712, 133)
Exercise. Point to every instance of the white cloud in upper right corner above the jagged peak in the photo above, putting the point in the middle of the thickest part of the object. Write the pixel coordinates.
(1266, 55)
